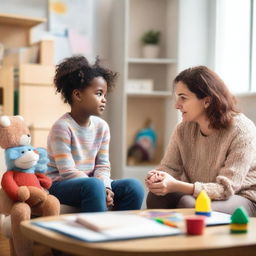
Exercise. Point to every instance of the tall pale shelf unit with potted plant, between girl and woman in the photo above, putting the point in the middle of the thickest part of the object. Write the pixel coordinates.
(128, 110)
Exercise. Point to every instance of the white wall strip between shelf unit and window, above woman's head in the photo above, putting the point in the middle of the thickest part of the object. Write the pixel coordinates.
(195, 33)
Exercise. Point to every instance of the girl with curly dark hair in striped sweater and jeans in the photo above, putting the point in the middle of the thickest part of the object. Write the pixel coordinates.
(78, 143)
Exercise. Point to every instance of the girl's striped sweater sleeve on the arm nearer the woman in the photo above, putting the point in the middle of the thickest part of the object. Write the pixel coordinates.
(102, 164)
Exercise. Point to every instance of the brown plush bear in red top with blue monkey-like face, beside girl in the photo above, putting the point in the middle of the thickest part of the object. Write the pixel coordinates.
(24, 184)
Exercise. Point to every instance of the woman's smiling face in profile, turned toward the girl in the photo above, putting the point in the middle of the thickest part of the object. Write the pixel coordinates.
(192, 108)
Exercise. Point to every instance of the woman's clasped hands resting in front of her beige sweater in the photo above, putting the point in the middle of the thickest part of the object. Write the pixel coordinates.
(165, 185)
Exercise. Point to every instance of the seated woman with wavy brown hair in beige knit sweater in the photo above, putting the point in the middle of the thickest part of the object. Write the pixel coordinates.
(213, 149)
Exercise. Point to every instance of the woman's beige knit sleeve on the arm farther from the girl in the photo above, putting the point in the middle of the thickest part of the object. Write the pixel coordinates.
(234, 171)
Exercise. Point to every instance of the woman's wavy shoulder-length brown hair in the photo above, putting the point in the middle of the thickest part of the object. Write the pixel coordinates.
(203, 82)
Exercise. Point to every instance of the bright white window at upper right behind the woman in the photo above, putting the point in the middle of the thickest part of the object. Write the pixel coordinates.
(234, 61)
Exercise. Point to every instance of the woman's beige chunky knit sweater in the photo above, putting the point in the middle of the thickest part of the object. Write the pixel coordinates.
(223, 164)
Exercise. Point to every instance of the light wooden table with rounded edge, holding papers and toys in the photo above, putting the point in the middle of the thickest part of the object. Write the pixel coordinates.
(216, 240)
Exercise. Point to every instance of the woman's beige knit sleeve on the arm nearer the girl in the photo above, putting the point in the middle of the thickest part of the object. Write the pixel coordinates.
(172, 162)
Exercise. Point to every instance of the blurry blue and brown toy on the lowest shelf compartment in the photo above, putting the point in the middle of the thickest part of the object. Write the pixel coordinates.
(143, 149)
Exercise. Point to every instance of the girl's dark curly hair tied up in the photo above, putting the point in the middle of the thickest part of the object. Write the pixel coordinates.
(77, 73)
